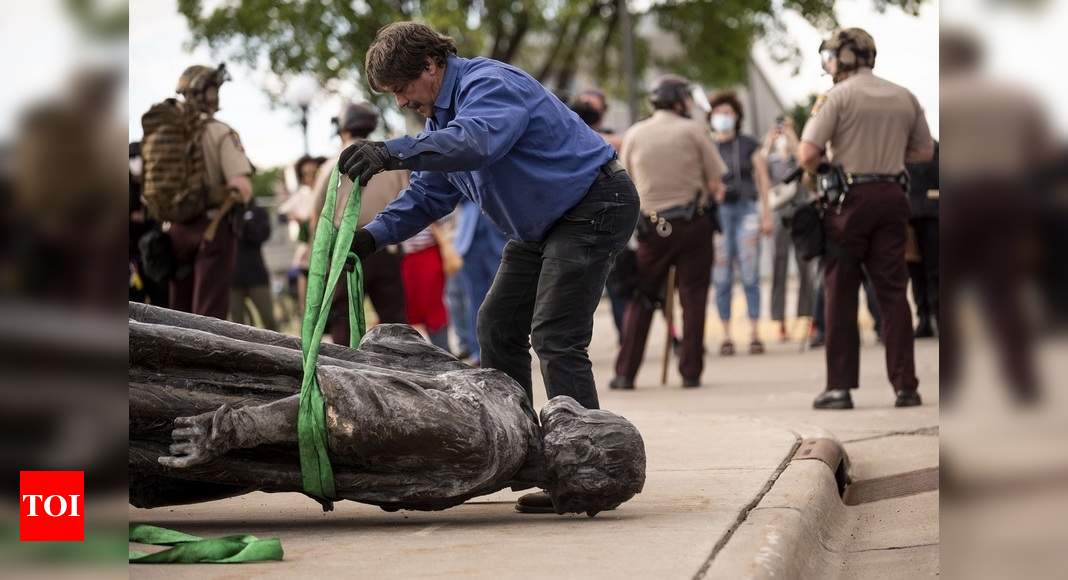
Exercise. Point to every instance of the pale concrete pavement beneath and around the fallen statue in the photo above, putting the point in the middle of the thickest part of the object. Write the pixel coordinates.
(716, 457)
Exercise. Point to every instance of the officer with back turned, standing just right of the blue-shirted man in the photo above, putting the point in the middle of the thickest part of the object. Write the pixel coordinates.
(678, 170)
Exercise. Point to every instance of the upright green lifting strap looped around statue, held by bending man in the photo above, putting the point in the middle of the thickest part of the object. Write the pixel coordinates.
(329, 253)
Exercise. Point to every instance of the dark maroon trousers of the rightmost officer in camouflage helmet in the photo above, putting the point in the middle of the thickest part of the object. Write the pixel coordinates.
(870, 231)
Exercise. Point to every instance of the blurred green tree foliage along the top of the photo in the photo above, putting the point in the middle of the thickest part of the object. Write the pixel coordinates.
(551, 39)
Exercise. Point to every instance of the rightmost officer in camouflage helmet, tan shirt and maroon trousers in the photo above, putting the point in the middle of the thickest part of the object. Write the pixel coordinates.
(871, 129)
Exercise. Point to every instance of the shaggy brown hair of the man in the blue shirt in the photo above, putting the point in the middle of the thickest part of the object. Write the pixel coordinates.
(399, 54)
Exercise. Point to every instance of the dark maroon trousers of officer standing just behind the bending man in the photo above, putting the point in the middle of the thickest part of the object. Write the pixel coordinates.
(689, 248)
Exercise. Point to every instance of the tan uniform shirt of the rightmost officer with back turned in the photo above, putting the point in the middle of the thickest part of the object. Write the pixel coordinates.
(870, 123)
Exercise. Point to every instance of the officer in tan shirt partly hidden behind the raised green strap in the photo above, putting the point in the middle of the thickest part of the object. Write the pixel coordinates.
(382, 271)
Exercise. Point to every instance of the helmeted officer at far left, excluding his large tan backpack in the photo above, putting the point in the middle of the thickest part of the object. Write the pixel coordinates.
(206, 269)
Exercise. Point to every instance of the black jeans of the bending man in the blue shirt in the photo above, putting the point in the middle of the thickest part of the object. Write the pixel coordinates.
(545, 293)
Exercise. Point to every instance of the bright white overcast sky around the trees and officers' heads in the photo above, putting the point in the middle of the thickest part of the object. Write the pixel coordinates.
(159, 36)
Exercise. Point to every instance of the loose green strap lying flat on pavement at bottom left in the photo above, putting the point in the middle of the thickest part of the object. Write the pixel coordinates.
(191, 550)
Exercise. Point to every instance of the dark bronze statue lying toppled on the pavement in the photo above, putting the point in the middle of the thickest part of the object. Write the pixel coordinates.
(213, 414)
